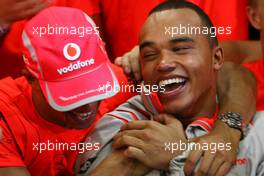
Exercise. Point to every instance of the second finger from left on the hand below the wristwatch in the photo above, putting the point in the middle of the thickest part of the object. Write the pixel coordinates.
(206, 162)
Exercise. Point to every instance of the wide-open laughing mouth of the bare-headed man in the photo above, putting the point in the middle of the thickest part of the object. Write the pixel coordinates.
(173, 84)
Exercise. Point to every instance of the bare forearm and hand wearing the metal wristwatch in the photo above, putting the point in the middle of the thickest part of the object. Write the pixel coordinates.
(236, 93)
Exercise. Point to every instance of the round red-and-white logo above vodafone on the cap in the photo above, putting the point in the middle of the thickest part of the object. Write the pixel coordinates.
(71, 51)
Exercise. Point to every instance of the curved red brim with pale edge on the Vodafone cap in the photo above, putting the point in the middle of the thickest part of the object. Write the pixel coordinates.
(99, 83)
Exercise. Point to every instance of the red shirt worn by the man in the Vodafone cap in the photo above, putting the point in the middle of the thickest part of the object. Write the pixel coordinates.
(22, 126)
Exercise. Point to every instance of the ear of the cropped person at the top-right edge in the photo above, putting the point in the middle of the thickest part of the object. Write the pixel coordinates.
(254, 17)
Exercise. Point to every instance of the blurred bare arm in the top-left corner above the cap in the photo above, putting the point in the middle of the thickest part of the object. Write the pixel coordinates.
(14, 10)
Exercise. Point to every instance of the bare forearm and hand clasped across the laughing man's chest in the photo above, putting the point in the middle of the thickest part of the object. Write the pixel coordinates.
(146, 141)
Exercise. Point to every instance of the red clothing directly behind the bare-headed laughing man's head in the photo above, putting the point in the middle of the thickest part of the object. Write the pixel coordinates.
(123, 20)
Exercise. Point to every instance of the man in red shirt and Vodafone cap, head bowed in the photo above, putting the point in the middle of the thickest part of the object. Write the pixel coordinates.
(46, 114)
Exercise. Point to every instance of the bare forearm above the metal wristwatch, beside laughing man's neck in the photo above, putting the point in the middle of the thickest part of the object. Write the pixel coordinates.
(237, 91)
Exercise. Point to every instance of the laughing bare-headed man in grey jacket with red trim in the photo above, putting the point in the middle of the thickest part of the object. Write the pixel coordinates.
(186, 65)
